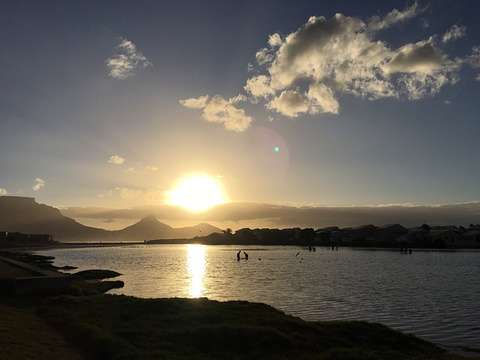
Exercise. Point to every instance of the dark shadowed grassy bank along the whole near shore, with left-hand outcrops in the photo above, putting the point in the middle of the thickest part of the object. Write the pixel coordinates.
(86, 324)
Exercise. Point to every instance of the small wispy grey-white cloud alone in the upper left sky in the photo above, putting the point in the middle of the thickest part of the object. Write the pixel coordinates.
(126, 60)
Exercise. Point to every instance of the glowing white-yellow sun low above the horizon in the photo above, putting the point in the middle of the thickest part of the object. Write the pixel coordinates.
(197, 193)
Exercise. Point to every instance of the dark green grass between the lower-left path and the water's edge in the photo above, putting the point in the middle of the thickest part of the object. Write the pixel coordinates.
(121, 327)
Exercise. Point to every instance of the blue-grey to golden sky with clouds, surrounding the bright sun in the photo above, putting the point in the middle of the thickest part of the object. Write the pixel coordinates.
(297, 109)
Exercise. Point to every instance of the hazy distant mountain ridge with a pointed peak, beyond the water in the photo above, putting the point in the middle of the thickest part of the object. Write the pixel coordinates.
(25, 215)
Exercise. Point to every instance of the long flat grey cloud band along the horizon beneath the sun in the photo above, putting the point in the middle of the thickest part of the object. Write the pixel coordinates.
(246, 214)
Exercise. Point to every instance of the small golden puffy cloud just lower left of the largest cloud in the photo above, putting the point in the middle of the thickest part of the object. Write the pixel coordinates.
(222, 111)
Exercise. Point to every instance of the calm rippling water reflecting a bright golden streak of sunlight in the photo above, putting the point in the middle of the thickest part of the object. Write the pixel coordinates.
(432, 294)
